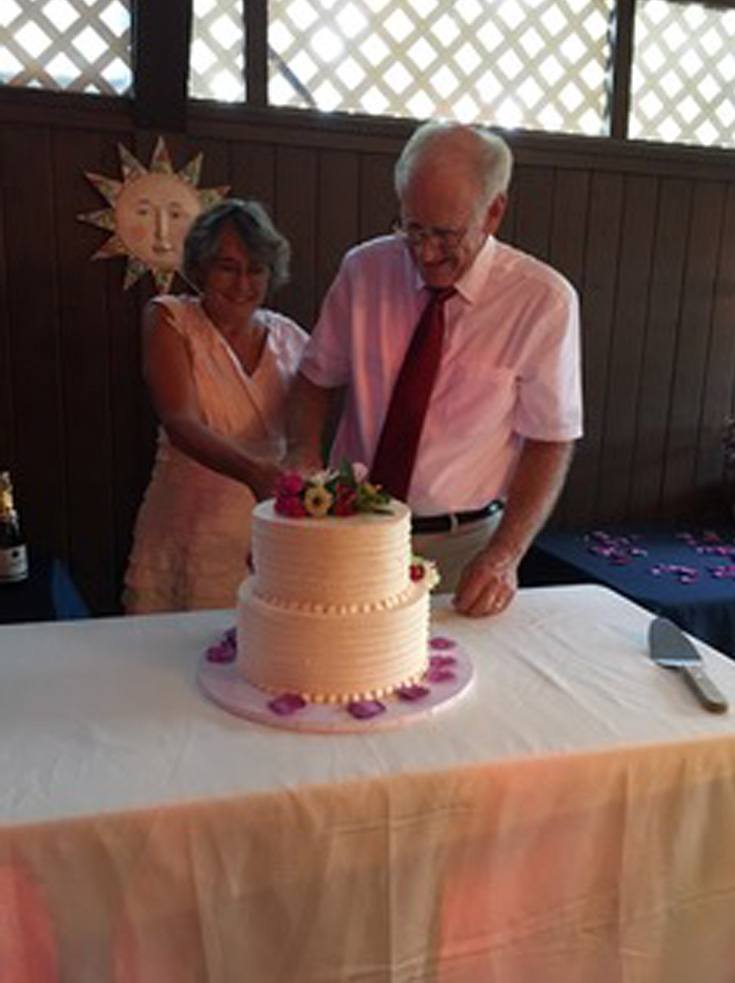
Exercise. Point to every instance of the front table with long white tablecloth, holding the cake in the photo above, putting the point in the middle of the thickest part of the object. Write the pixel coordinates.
(571, 820)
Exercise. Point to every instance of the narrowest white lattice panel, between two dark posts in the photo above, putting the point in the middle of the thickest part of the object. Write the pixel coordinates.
(217, 60)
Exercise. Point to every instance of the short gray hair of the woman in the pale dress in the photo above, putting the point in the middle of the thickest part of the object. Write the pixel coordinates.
(253, 227)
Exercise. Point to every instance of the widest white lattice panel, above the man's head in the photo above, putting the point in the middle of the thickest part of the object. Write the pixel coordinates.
(530, 63)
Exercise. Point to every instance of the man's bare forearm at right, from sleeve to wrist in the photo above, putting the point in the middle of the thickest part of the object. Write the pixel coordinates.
(533, 492)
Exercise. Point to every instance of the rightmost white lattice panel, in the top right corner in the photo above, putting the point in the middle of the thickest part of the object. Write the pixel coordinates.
(684, 74)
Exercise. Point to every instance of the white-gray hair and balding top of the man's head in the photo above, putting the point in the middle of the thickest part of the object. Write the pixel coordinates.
(485, 155)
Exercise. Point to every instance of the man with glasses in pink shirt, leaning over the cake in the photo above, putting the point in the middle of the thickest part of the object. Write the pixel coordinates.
(504, 407)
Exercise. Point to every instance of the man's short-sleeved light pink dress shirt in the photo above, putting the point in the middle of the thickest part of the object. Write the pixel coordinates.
(510, 366)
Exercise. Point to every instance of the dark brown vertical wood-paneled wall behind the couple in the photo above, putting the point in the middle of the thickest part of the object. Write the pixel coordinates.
(647, 238)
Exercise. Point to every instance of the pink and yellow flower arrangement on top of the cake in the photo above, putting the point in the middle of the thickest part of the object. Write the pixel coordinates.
(338, 491)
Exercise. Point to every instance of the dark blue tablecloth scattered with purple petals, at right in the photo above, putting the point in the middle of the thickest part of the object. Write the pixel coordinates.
(686, 573)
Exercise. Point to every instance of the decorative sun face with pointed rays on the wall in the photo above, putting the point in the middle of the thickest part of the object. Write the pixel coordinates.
(150, 214)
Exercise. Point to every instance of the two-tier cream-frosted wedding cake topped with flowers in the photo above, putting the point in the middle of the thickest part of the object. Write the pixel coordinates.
(335, 610)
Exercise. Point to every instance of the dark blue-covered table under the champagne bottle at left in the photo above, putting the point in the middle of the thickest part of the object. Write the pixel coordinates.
(48, 594)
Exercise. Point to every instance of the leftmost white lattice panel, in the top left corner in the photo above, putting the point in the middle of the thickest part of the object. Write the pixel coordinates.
(77, 45)
